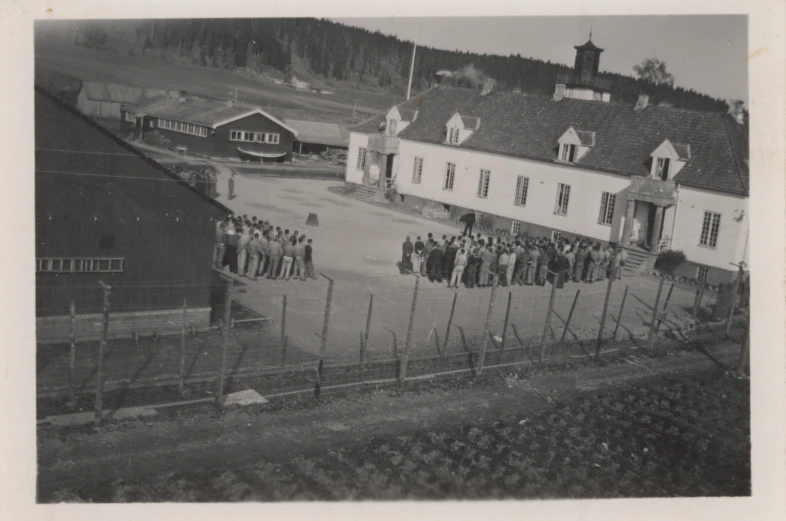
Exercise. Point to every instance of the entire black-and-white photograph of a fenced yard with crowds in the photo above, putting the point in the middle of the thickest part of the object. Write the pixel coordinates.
(285, 259)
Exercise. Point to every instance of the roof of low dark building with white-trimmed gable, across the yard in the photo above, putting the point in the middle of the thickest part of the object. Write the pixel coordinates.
(211, 113)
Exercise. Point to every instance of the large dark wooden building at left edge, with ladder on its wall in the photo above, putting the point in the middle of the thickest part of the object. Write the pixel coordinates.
(105, 212)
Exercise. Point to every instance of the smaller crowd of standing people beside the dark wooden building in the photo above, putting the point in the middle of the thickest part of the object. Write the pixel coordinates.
(253, 248)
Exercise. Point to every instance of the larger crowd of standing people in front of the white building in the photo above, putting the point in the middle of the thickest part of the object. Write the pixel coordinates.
(474, 261)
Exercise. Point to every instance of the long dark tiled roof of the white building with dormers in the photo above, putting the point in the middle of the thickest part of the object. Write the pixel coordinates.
(529, 127)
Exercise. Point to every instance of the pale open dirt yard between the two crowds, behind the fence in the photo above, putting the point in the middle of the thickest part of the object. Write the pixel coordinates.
(358, 246)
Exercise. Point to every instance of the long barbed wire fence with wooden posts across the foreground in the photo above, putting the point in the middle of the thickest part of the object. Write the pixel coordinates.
(110, 346)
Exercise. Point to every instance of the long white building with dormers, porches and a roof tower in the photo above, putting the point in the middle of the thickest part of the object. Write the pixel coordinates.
(576, 164)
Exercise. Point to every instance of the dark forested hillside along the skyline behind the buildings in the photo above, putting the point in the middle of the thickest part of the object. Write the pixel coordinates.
(331, 52)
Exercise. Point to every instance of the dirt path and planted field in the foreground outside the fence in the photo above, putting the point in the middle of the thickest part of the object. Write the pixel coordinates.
(280, 451)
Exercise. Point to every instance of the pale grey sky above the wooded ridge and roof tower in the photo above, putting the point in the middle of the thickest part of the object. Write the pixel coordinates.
(706, 53)
